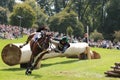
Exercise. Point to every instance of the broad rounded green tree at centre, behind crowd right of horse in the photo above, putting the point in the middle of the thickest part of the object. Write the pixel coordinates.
(61, 21)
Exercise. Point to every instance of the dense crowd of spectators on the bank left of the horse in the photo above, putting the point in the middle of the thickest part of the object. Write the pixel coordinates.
(11, 32)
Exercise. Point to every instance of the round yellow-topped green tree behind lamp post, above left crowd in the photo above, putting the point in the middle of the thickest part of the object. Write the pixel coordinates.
(27, 15)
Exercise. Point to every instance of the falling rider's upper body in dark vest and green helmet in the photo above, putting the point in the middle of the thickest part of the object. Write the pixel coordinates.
(62, 45)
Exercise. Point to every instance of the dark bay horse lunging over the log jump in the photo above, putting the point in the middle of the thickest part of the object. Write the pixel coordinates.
(39, 48)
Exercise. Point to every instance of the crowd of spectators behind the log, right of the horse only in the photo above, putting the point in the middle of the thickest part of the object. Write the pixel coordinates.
(108, 44)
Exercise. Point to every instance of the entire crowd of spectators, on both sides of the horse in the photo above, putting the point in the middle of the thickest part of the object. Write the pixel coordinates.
(12, 32)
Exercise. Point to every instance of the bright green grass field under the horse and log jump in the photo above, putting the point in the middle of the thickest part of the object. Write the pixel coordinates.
(63, 68)
